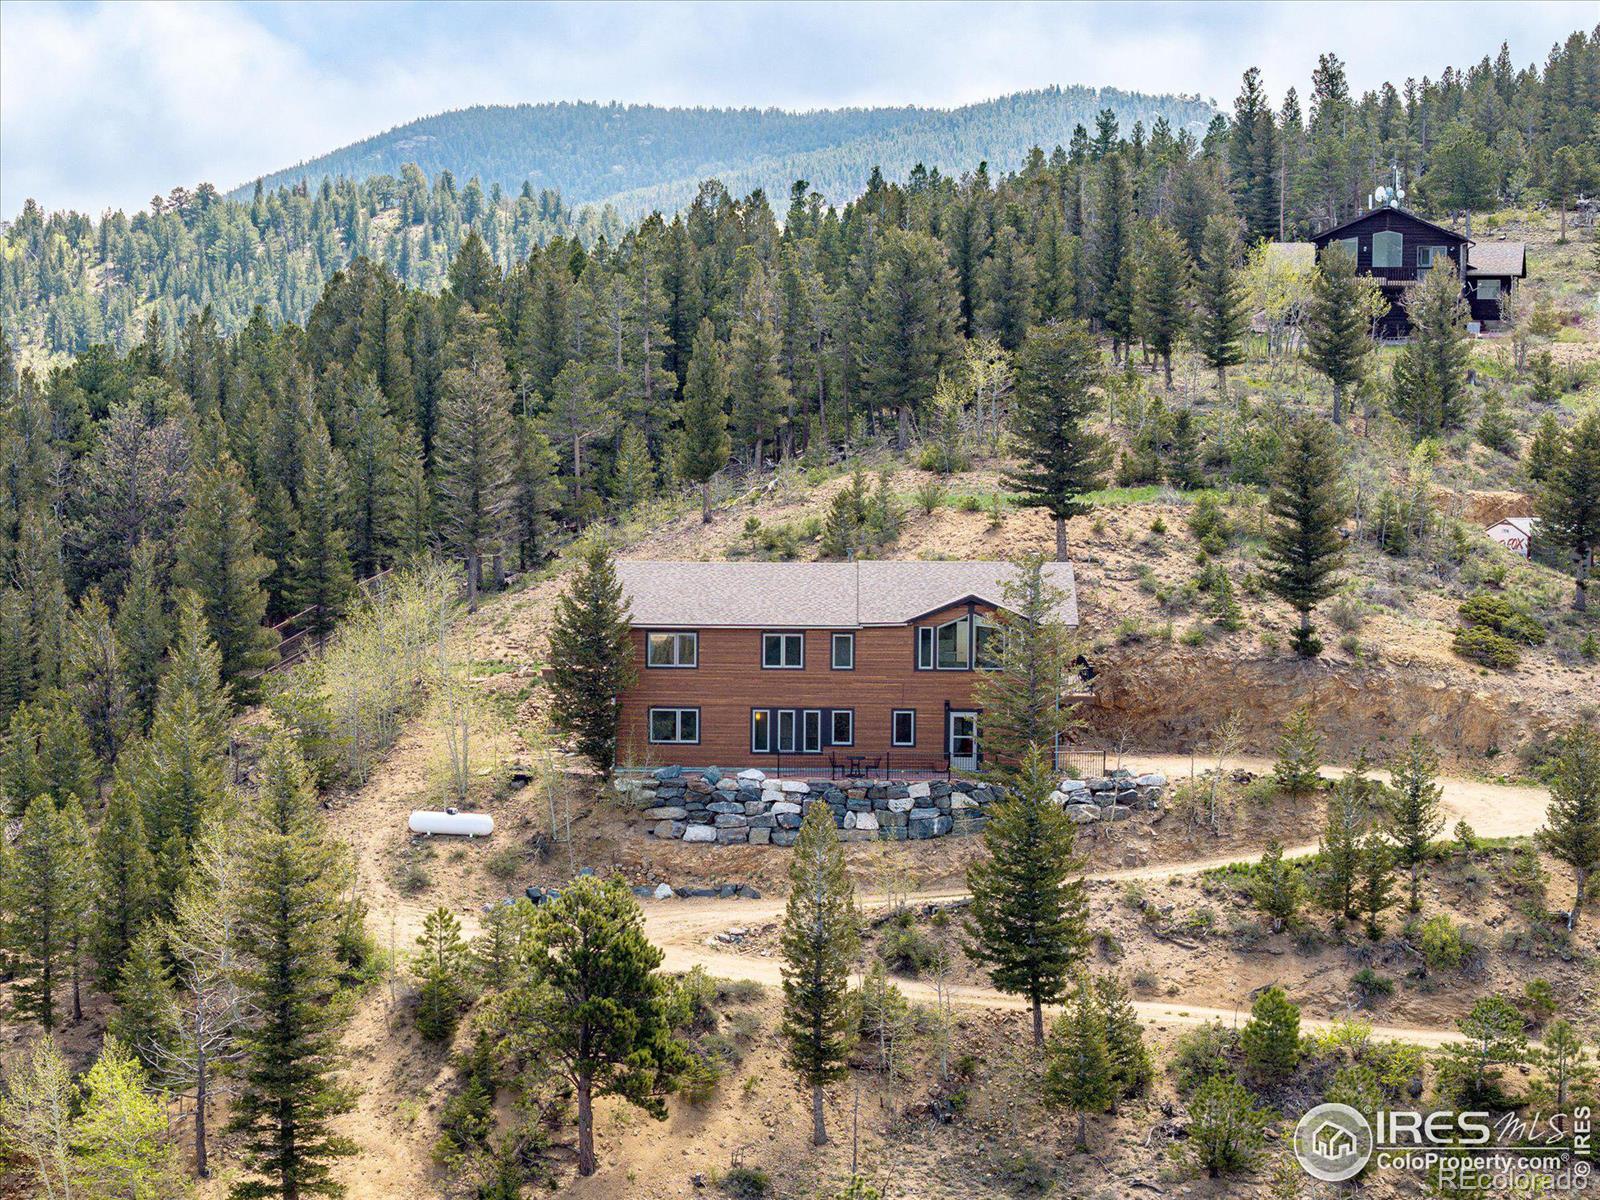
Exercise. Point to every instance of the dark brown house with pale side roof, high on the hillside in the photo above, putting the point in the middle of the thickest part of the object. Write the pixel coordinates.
(1399, 249)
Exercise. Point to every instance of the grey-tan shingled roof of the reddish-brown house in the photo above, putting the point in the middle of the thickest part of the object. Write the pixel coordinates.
(818, 596)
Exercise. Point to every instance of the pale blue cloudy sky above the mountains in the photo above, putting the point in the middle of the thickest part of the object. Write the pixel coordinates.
(105, 105)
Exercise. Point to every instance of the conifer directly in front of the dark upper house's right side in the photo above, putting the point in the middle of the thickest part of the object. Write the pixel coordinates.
(1430, 385)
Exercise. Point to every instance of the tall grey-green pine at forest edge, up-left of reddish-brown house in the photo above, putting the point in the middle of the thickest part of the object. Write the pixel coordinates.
(473, 449)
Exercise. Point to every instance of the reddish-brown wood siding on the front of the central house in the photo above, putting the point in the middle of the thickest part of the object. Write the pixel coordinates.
(730, 682)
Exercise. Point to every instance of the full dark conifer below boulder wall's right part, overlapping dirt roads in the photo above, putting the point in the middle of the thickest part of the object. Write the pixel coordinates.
(1030, 919)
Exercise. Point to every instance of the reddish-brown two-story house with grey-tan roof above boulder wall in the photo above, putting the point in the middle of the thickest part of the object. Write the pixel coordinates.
(804, 668)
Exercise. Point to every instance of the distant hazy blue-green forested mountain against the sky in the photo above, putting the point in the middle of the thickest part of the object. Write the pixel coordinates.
(641, 158)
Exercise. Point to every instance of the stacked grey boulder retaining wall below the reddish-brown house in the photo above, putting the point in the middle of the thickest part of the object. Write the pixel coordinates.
(748, 809)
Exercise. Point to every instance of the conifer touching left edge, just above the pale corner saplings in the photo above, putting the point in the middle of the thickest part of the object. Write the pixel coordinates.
(44, 910)
